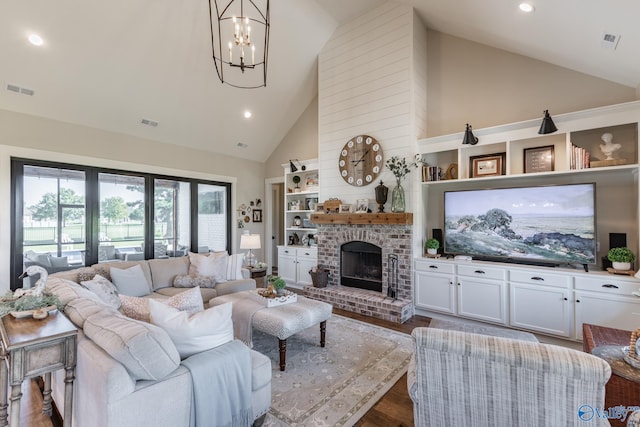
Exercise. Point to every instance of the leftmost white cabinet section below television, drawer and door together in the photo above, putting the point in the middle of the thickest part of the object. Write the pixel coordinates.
(434, 286)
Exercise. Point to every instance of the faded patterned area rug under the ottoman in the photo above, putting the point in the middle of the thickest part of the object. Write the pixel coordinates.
(335, 385)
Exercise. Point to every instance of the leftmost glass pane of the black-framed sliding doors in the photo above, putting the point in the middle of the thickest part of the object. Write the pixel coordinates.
(53, 218)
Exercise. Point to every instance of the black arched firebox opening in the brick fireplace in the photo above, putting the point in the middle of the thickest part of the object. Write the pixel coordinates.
(361, 266)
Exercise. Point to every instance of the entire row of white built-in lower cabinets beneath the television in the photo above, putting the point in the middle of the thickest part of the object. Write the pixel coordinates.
(552, 301)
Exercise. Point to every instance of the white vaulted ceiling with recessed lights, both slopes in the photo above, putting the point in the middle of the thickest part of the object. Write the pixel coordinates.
(109, 65)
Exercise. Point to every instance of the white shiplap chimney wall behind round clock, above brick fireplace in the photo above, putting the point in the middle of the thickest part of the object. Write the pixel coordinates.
(372, 80)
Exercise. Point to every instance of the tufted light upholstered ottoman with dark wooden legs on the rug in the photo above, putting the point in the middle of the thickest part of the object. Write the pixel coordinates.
(284, 320)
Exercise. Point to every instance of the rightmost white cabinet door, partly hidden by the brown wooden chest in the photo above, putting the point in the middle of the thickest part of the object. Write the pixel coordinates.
(603, 309)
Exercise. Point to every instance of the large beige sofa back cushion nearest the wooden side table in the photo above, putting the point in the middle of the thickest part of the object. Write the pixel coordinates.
(145, 350)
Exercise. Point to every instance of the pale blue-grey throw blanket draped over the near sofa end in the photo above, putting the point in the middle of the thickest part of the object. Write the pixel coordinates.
(221, 380)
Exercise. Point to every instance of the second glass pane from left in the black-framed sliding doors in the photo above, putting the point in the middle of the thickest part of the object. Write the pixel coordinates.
(122, 217)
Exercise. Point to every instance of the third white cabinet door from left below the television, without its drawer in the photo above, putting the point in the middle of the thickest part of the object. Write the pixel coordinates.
(541, 308)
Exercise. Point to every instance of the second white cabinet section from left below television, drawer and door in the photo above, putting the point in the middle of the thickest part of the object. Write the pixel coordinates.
(482, 293)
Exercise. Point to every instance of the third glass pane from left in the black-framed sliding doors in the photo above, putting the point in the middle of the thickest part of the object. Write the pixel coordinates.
(171, 213)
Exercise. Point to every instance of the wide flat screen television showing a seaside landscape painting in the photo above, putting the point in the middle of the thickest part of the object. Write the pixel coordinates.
(536, 225)
